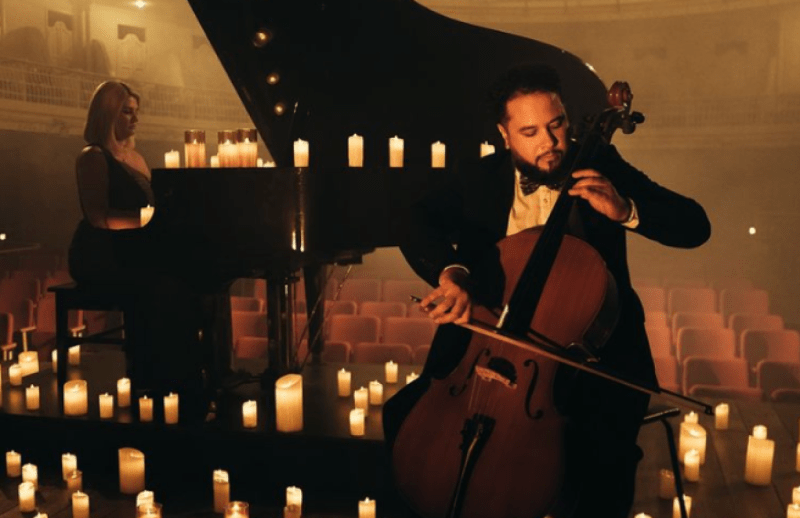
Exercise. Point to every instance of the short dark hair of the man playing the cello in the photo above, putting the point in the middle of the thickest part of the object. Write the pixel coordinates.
(521, 80)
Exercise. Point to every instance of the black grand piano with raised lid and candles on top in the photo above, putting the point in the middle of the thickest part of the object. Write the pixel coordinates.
(322, 70)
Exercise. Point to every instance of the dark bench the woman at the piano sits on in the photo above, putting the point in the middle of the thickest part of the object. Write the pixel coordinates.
(72, 296)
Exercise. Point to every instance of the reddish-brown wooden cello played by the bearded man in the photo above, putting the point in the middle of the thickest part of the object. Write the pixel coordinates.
(489, 439)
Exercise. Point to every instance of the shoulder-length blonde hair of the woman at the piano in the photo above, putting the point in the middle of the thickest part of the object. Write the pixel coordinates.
(104, 108)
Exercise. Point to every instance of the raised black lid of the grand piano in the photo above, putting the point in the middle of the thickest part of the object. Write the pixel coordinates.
(322, 70)
